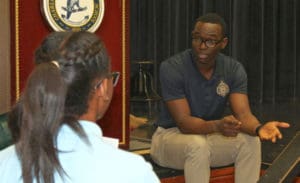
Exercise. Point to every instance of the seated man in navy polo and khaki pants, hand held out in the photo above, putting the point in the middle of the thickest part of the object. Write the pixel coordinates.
(192, 132)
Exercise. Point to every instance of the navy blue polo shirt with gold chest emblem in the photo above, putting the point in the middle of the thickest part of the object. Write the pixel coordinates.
(180, 78)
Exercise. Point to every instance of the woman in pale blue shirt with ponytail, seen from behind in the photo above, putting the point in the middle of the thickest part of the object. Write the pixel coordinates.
(58, 139)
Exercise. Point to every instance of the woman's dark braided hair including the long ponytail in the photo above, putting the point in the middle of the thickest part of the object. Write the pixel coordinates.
(55, 96)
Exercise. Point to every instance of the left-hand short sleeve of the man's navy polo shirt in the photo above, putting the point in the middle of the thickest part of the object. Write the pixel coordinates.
(171, 80)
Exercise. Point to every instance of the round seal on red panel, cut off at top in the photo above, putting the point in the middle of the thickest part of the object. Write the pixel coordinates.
(73, 15)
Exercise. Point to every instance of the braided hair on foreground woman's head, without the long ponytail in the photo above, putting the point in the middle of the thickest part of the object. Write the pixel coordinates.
(83, 58)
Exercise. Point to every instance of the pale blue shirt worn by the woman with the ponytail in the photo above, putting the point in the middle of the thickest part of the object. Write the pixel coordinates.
(83, 163)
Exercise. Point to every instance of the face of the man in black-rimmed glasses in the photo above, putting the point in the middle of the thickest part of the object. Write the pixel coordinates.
(207, 41)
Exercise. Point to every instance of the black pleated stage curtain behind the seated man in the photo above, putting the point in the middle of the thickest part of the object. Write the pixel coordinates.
(264, 36)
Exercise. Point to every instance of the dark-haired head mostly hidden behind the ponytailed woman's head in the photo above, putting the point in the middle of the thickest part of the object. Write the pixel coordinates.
(48, 50)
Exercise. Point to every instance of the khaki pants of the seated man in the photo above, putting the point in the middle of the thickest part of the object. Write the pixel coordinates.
(197, 153)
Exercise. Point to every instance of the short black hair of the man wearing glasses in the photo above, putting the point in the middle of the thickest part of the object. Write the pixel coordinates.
(213, 18)
